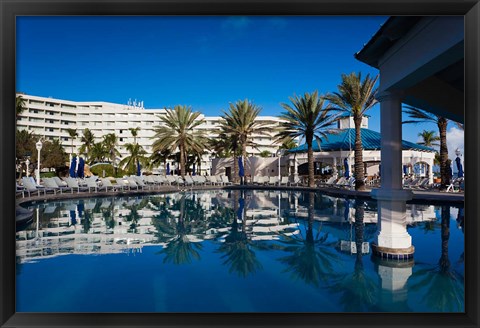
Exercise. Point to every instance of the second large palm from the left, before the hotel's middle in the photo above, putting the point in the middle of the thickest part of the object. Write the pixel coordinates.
(240, 124)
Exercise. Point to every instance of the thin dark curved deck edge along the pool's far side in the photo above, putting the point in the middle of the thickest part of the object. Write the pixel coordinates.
(431, 196)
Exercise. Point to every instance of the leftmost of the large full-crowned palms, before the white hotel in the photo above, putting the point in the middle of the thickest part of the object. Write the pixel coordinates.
(178, 132)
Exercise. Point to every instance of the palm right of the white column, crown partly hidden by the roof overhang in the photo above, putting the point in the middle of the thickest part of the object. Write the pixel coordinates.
(419, 116)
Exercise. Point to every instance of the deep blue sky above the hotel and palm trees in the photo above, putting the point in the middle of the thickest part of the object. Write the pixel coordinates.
(203, 62)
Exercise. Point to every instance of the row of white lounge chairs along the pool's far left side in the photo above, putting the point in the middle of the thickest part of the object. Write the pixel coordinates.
(56, 185)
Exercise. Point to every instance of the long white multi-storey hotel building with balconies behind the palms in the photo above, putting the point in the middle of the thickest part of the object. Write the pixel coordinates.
(50, 118)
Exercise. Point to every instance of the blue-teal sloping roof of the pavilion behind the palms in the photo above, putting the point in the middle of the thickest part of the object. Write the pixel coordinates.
(345, 140)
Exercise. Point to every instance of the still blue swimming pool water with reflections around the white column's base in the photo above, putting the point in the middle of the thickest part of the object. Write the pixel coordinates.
(233, 251)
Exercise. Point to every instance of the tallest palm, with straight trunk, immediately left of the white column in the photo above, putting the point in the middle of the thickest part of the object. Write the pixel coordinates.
(355, 97)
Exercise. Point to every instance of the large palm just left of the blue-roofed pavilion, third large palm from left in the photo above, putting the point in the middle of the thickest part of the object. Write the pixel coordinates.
(307, 118)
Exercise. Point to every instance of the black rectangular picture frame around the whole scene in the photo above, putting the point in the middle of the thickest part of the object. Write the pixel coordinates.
(12, 8)
